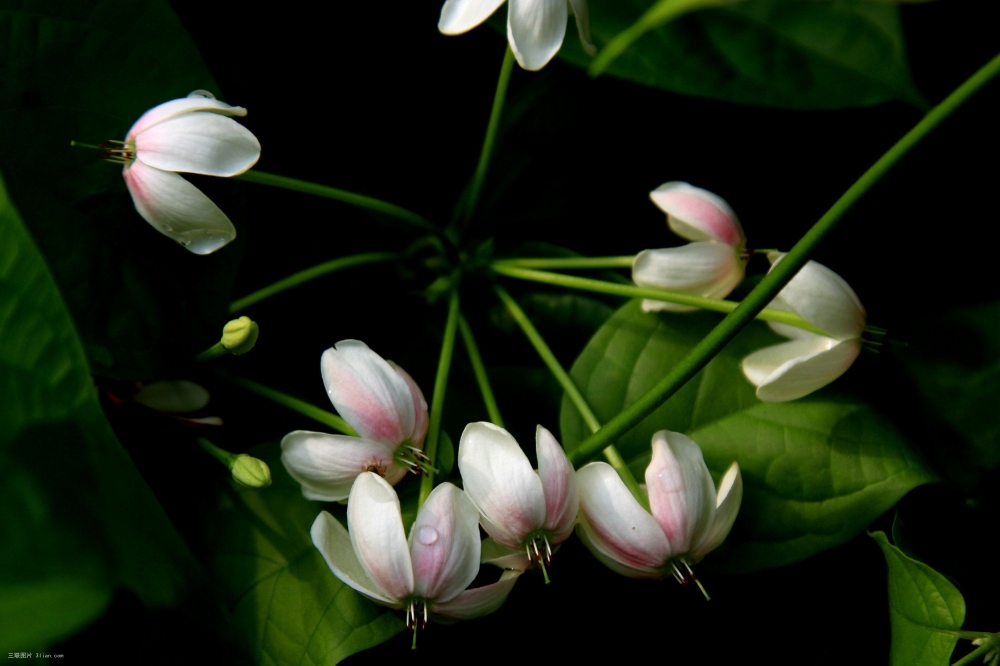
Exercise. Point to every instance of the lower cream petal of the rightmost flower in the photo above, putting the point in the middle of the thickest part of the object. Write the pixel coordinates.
(798, 367)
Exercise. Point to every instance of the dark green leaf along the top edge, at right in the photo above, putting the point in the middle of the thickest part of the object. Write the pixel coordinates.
(825, 54)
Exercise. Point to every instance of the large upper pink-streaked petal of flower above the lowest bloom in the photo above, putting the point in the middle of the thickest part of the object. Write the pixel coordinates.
(372, 397)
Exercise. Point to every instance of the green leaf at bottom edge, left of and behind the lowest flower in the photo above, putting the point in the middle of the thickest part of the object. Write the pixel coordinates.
(286, 602)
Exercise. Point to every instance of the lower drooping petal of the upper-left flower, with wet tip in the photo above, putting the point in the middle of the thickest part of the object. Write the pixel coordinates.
(178, 209)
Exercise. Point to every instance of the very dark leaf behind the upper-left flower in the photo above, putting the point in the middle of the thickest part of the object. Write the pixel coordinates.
(85, 70)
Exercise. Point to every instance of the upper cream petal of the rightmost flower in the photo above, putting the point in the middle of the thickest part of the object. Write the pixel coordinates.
(823, 299)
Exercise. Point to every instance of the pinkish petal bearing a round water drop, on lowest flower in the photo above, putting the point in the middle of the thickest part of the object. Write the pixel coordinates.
(444, 544)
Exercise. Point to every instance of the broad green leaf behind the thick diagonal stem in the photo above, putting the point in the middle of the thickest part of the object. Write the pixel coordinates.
(817, 471)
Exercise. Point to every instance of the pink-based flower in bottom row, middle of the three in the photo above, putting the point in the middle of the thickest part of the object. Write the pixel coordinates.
(520, 509)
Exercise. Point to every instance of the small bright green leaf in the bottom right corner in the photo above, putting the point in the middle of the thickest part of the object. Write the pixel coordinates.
(922, 604)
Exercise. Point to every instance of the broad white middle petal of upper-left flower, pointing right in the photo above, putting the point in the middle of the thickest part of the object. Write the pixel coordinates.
(202, 142)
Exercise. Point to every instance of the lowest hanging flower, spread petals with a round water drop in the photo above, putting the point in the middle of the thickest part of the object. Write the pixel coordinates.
(426, 574)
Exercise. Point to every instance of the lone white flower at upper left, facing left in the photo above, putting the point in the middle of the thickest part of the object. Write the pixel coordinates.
(194, 134)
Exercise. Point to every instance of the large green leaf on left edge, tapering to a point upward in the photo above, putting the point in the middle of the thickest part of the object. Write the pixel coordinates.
(76, 519)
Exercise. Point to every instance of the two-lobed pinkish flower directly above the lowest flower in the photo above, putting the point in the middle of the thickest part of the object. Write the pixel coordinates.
(384, 406)
